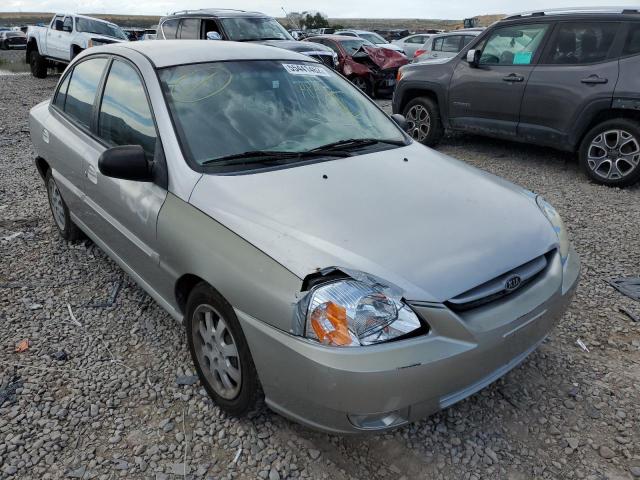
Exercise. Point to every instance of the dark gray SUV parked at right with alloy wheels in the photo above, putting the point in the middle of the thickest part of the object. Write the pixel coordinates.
(567, 79)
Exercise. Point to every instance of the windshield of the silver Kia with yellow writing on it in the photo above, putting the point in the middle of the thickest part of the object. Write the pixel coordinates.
(229, 108)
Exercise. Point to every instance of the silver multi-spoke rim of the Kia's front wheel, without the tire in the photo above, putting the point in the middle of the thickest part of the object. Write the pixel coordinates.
(217, 351)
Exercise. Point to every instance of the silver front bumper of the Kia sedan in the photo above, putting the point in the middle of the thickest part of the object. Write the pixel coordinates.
(347, 390)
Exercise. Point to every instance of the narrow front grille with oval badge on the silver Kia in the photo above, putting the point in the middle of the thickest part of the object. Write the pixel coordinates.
(501, 286)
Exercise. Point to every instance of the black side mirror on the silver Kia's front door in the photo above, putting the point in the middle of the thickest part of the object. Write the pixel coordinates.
(126, 162)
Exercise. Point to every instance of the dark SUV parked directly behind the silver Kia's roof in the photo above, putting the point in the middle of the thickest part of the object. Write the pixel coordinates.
(238, 26)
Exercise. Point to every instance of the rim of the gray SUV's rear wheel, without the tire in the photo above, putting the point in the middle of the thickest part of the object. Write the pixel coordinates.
(613, 154)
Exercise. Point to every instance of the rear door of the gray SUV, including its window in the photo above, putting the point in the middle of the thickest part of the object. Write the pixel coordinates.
(575, 78)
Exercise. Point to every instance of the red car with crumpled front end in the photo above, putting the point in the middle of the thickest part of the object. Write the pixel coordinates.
(370, 68)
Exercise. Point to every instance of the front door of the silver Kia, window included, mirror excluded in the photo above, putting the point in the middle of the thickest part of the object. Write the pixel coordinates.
(122, 212)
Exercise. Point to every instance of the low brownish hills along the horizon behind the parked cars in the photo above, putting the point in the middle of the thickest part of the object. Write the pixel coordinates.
(412, 24)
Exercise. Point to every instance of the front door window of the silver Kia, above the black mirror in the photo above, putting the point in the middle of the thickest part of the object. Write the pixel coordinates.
(125, 115)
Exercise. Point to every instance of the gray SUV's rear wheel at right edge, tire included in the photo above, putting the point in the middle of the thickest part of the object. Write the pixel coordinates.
(610, 153)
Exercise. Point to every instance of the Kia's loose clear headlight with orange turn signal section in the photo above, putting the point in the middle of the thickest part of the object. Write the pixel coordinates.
(355, 312)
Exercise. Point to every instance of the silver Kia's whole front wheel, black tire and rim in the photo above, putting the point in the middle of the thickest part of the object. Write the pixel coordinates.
(210, 341)
